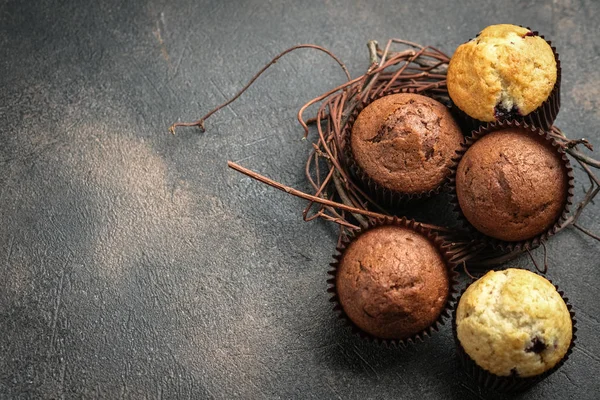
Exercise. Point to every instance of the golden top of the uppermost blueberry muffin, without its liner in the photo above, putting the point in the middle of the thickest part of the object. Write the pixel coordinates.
(505, 71)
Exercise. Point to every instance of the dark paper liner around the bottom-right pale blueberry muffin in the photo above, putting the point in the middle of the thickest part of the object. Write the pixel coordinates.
(507, 384)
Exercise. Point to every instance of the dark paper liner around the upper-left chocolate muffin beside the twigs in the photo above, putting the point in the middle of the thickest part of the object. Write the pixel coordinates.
(383, 195)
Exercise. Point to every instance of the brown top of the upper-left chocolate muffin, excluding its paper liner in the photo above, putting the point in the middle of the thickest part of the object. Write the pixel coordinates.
(405, 142)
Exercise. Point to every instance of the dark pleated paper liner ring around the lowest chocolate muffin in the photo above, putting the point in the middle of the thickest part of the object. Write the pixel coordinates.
(444, 249)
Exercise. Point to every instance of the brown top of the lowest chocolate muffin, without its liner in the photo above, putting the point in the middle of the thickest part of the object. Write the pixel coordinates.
(392, 282)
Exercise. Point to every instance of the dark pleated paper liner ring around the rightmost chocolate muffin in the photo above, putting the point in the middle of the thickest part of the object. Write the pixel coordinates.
(502, 245)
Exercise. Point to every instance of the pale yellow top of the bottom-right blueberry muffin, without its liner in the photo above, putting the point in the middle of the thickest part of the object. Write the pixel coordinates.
(513, 322)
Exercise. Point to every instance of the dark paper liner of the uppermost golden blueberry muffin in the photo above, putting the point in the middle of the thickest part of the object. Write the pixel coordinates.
(542, 117)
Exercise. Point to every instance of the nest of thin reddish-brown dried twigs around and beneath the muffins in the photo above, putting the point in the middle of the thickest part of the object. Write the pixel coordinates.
(336, 197)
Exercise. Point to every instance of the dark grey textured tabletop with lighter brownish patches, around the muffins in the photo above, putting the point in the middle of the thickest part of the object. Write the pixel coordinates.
(133, 264)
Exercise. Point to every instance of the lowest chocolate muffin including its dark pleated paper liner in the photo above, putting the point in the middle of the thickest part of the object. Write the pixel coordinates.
(393, 282)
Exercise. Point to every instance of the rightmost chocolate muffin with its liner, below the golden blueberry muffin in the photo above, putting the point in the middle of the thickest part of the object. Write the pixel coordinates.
(511, 185)
